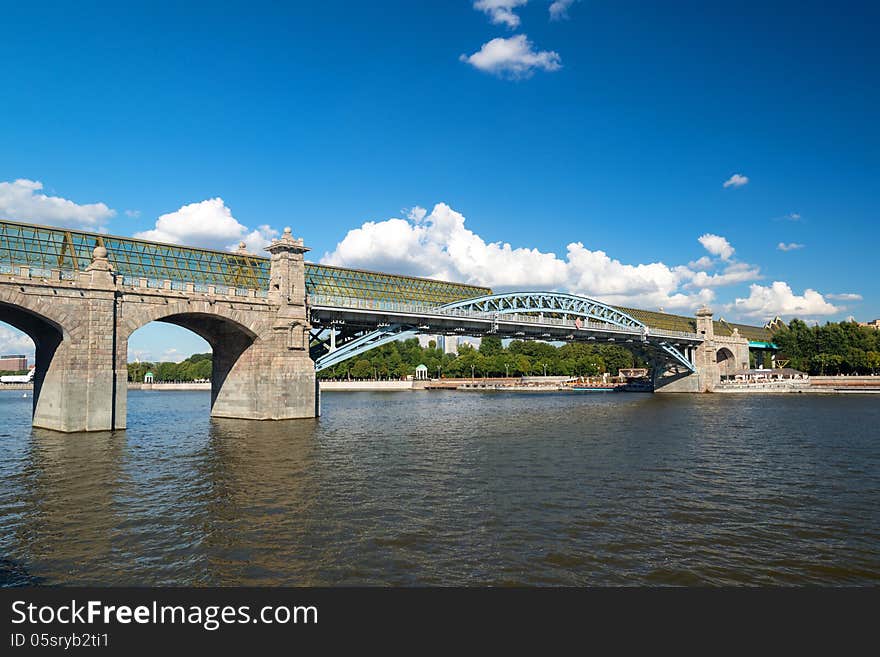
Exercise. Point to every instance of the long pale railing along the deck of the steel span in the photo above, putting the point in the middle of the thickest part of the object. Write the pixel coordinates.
(349, 303)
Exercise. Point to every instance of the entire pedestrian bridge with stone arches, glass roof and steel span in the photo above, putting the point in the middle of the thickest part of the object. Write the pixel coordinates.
(272, 322)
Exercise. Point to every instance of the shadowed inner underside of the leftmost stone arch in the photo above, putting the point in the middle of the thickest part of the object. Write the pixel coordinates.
(46, 336)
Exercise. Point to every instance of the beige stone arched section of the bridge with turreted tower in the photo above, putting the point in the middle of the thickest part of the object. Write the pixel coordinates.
(81, 326)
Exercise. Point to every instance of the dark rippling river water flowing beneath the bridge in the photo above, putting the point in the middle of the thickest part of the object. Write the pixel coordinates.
(443, 488)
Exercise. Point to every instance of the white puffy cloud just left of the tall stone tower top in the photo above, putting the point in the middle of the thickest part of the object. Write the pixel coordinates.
(208, 224)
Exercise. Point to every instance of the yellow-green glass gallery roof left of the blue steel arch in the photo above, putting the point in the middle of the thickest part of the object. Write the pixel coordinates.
(44, 248)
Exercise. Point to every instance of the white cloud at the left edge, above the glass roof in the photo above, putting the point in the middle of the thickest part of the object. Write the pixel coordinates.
(21, 200)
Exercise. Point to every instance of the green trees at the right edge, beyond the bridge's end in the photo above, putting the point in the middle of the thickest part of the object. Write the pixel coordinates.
(835, 348)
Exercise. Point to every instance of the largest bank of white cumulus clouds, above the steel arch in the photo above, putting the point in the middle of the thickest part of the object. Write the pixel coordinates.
(439, 245)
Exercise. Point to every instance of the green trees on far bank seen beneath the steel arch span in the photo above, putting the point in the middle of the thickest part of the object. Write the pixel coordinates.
(396, 360)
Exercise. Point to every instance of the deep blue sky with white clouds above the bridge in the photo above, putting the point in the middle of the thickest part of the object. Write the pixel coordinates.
(595, 145)
